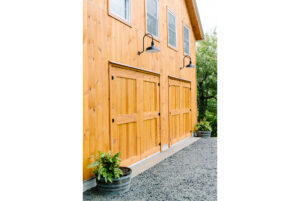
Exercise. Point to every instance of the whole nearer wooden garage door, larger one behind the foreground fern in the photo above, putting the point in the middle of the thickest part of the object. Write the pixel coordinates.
(135, 120)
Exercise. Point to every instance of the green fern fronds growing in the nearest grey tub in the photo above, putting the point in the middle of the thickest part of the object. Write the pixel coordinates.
(106, 166)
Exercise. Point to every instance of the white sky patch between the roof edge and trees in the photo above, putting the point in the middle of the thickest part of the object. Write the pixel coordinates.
(208, 14)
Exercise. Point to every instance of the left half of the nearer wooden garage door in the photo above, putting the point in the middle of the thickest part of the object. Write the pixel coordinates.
(123, 95)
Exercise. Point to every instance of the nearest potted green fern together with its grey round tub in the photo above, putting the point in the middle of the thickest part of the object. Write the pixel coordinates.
(110, 177)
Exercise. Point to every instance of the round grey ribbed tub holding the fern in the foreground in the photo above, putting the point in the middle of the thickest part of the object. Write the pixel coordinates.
(118, 186)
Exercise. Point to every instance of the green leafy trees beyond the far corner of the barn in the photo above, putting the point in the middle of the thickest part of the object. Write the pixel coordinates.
(206, 64)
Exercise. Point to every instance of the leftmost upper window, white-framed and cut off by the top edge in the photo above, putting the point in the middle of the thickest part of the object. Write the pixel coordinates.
(120, 8)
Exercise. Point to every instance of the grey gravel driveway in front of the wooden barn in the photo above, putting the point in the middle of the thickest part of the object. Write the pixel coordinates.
(190, 174)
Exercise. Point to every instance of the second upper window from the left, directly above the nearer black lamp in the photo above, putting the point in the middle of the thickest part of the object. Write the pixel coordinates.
(152, 17)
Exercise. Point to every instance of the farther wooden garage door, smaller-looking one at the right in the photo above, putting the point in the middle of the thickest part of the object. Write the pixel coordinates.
(179, 110)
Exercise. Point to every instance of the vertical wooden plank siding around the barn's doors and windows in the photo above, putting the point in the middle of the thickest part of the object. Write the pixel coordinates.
(107, 39)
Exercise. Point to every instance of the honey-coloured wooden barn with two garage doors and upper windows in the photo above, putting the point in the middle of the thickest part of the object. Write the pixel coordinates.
(137, 97)
